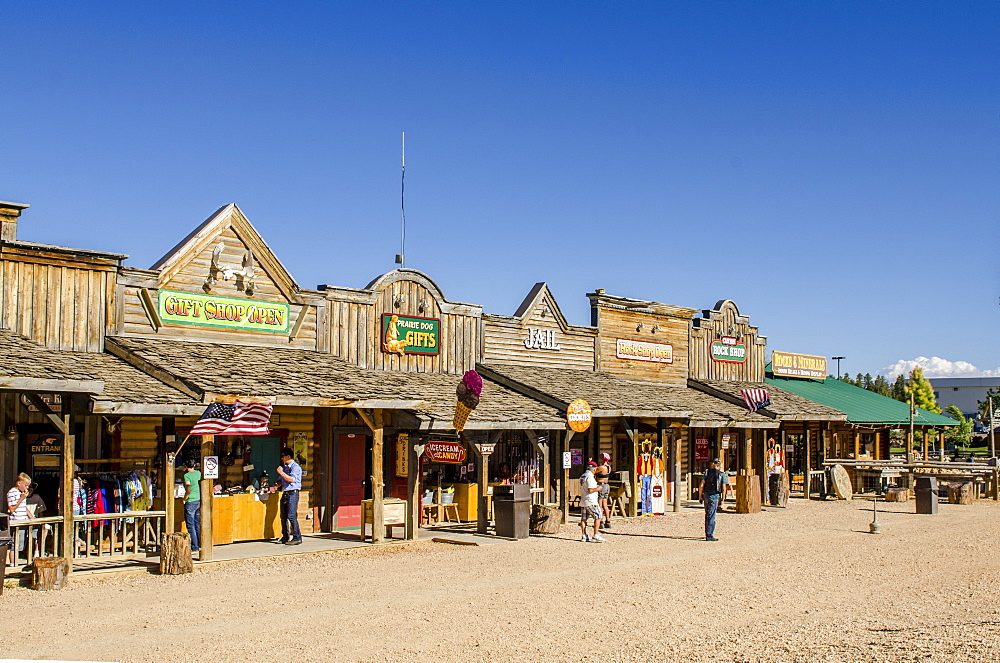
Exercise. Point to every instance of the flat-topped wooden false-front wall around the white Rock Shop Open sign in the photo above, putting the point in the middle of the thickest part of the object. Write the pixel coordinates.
(630, 320)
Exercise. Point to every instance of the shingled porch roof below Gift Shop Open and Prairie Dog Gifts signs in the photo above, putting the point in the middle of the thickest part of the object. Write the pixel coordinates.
(289, 376)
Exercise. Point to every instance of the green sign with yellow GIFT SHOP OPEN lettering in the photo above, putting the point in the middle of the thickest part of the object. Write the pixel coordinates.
(188, 308)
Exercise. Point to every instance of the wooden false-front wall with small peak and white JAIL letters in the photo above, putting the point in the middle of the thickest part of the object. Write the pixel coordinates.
(538, 335)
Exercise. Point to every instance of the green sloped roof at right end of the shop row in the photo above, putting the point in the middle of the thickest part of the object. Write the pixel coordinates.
(860, 405)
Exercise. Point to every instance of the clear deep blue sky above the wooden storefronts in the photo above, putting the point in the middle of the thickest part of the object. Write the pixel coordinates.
(830, 167)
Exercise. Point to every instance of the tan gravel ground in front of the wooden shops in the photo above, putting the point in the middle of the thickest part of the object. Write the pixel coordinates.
(805, 583)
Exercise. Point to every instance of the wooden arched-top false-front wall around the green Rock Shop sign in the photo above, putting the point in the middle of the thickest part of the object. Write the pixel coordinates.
(725, 321)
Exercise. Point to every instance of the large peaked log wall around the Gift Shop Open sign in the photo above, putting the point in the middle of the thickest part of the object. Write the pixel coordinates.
(226, 258)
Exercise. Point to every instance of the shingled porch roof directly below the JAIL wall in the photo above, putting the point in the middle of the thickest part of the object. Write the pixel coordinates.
(613, 396)
